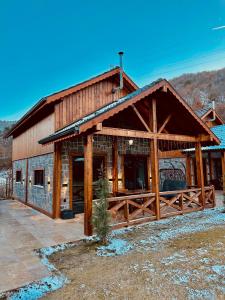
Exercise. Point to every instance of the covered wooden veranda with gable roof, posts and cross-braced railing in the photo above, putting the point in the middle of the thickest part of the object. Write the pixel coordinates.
(157, 115)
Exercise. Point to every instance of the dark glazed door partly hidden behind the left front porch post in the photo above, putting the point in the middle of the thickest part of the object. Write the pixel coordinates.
(78, 180)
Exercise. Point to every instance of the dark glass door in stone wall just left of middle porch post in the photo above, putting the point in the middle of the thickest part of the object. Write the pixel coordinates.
(135, 172)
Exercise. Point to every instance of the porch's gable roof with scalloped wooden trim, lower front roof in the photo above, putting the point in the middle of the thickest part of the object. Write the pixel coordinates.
(109, 110)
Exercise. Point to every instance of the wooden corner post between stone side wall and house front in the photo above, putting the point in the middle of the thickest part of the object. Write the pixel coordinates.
(57, 181)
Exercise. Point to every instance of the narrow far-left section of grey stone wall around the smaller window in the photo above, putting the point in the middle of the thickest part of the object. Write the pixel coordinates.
(19, 188)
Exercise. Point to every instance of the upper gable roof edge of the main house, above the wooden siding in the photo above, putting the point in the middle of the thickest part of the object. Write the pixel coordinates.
(48, 100)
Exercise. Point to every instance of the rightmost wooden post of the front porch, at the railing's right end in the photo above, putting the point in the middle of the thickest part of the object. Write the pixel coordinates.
(199, 169)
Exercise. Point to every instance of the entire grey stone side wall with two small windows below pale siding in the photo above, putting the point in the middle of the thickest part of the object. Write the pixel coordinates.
(38, 196)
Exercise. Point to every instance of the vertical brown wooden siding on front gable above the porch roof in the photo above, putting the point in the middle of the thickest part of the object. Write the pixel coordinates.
(85, 101)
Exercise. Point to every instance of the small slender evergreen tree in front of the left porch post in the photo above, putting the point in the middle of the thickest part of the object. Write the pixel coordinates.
(101, 216)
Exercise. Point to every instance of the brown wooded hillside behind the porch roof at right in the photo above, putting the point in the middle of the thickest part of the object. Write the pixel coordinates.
(198, 89)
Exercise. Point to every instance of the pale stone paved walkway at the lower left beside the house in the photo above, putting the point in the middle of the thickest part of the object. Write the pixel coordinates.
(22, 230)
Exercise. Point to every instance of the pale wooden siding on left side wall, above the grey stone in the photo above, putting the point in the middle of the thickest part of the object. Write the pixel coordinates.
(26, 144)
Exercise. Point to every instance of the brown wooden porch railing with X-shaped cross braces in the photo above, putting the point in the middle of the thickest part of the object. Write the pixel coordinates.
(140, 208)
